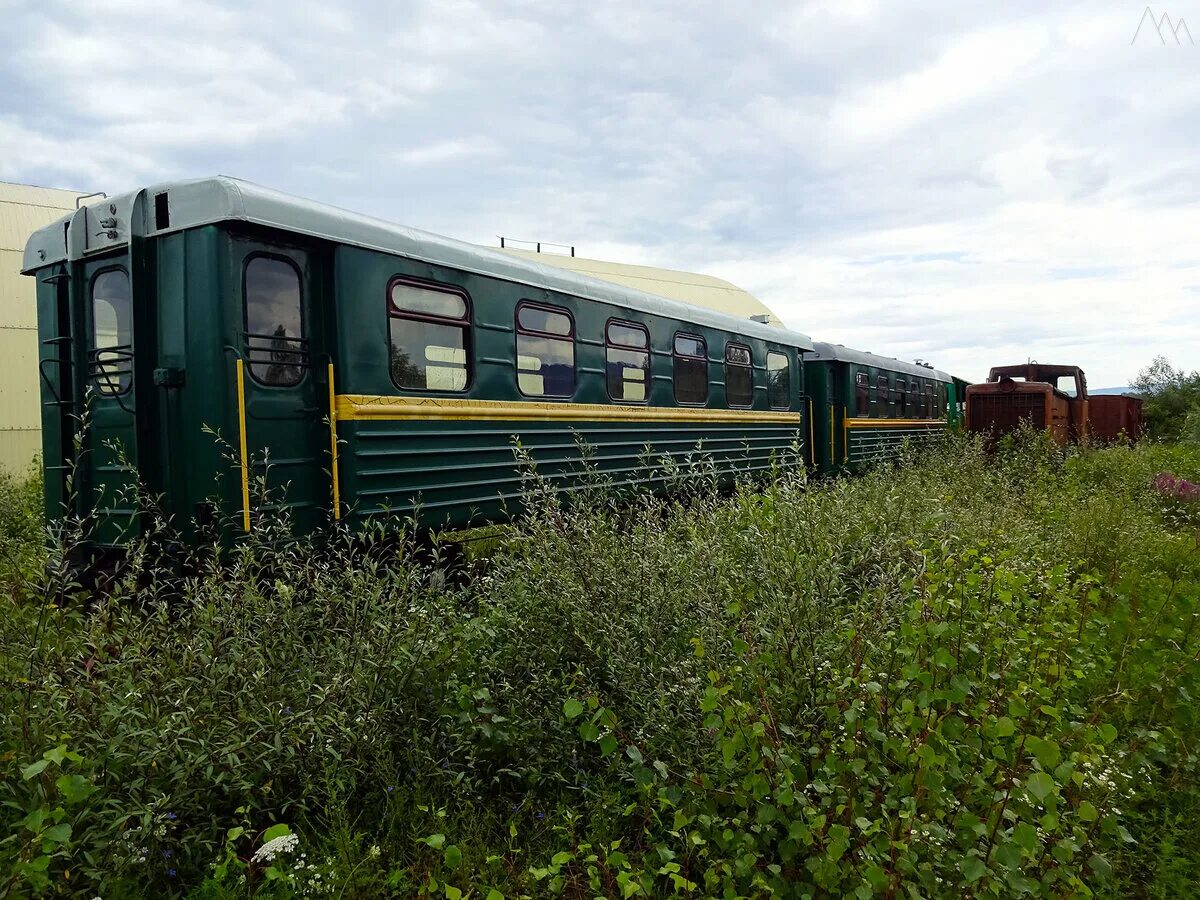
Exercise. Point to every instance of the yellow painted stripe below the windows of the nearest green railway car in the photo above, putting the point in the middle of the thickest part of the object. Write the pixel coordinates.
(356, 407)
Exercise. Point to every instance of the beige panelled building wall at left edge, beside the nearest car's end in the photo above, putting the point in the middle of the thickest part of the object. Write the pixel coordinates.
(23, 209)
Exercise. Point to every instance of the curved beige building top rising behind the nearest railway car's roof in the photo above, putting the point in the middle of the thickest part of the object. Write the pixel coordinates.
(687, 287)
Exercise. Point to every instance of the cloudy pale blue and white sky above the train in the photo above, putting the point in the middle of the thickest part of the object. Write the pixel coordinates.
(971, 184)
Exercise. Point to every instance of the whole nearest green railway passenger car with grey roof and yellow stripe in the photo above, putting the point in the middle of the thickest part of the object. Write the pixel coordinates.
(203, 339)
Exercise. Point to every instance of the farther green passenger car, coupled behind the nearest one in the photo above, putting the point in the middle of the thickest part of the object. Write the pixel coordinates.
(866, 406)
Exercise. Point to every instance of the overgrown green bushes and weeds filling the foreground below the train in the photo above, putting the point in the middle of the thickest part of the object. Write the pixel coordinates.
(964, 676)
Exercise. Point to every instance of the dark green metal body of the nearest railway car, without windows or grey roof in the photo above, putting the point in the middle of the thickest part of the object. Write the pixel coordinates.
(179, 427)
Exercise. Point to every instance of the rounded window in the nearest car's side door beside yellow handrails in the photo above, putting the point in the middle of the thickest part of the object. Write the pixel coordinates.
(275, 345)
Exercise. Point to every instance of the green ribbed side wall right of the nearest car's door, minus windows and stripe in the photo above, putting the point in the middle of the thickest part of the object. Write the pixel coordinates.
(460, 472)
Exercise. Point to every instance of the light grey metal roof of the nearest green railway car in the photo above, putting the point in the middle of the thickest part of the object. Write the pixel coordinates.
(220, 199)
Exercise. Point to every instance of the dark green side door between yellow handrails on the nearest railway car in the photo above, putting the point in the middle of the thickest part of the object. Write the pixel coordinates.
(281, 391)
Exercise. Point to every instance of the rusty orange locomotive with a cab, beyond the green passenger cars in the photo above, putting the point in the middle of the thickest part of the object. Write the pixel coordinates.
(1051, 398)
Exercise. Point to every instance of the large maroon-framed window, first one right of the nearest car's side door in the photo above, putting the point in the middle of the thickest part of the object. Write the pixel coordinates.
(428, 328)
